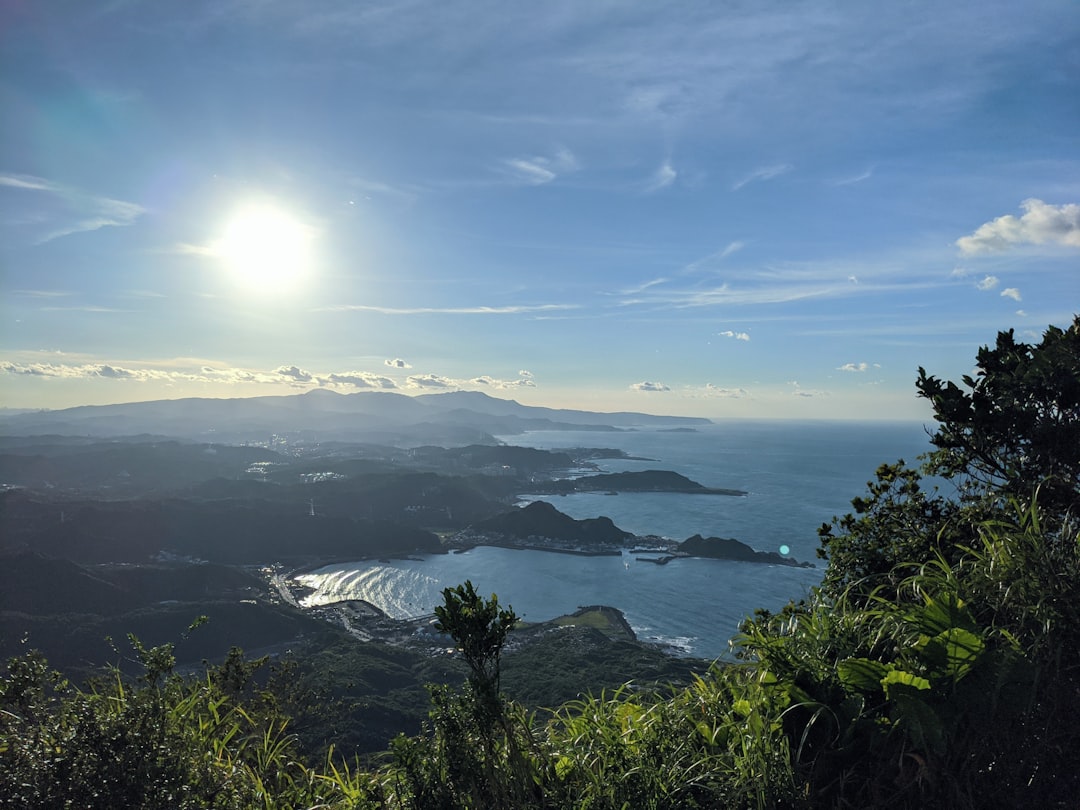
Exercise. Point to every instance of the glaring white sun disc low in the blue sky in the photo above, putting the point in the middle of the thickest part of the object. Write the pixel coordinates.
(267, 249)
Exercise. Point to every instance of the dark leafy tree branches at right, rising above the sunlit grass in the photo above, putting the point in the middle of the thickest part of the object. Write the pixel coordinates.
(1010, 433)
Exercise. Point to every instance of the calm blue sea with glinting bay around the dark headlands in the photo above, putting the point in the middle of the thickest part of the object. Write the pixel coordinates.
(798, 476)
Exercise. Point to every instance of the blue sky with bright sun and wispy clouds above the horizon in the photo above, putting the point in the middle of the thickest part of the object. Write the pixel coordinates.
(711, 209)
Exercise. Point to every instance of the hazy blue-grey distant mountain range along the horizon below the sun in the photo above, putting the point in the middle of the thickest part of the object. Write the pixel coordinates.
(458, 417)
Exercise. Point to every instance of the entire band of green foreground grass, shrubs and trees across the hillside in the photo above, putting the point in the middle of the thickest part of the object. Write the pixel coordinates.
(939, 666)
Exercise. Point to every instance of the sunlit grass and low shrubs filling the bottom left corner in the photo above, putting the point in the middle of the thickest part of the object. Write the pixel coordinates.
(157, 741)
